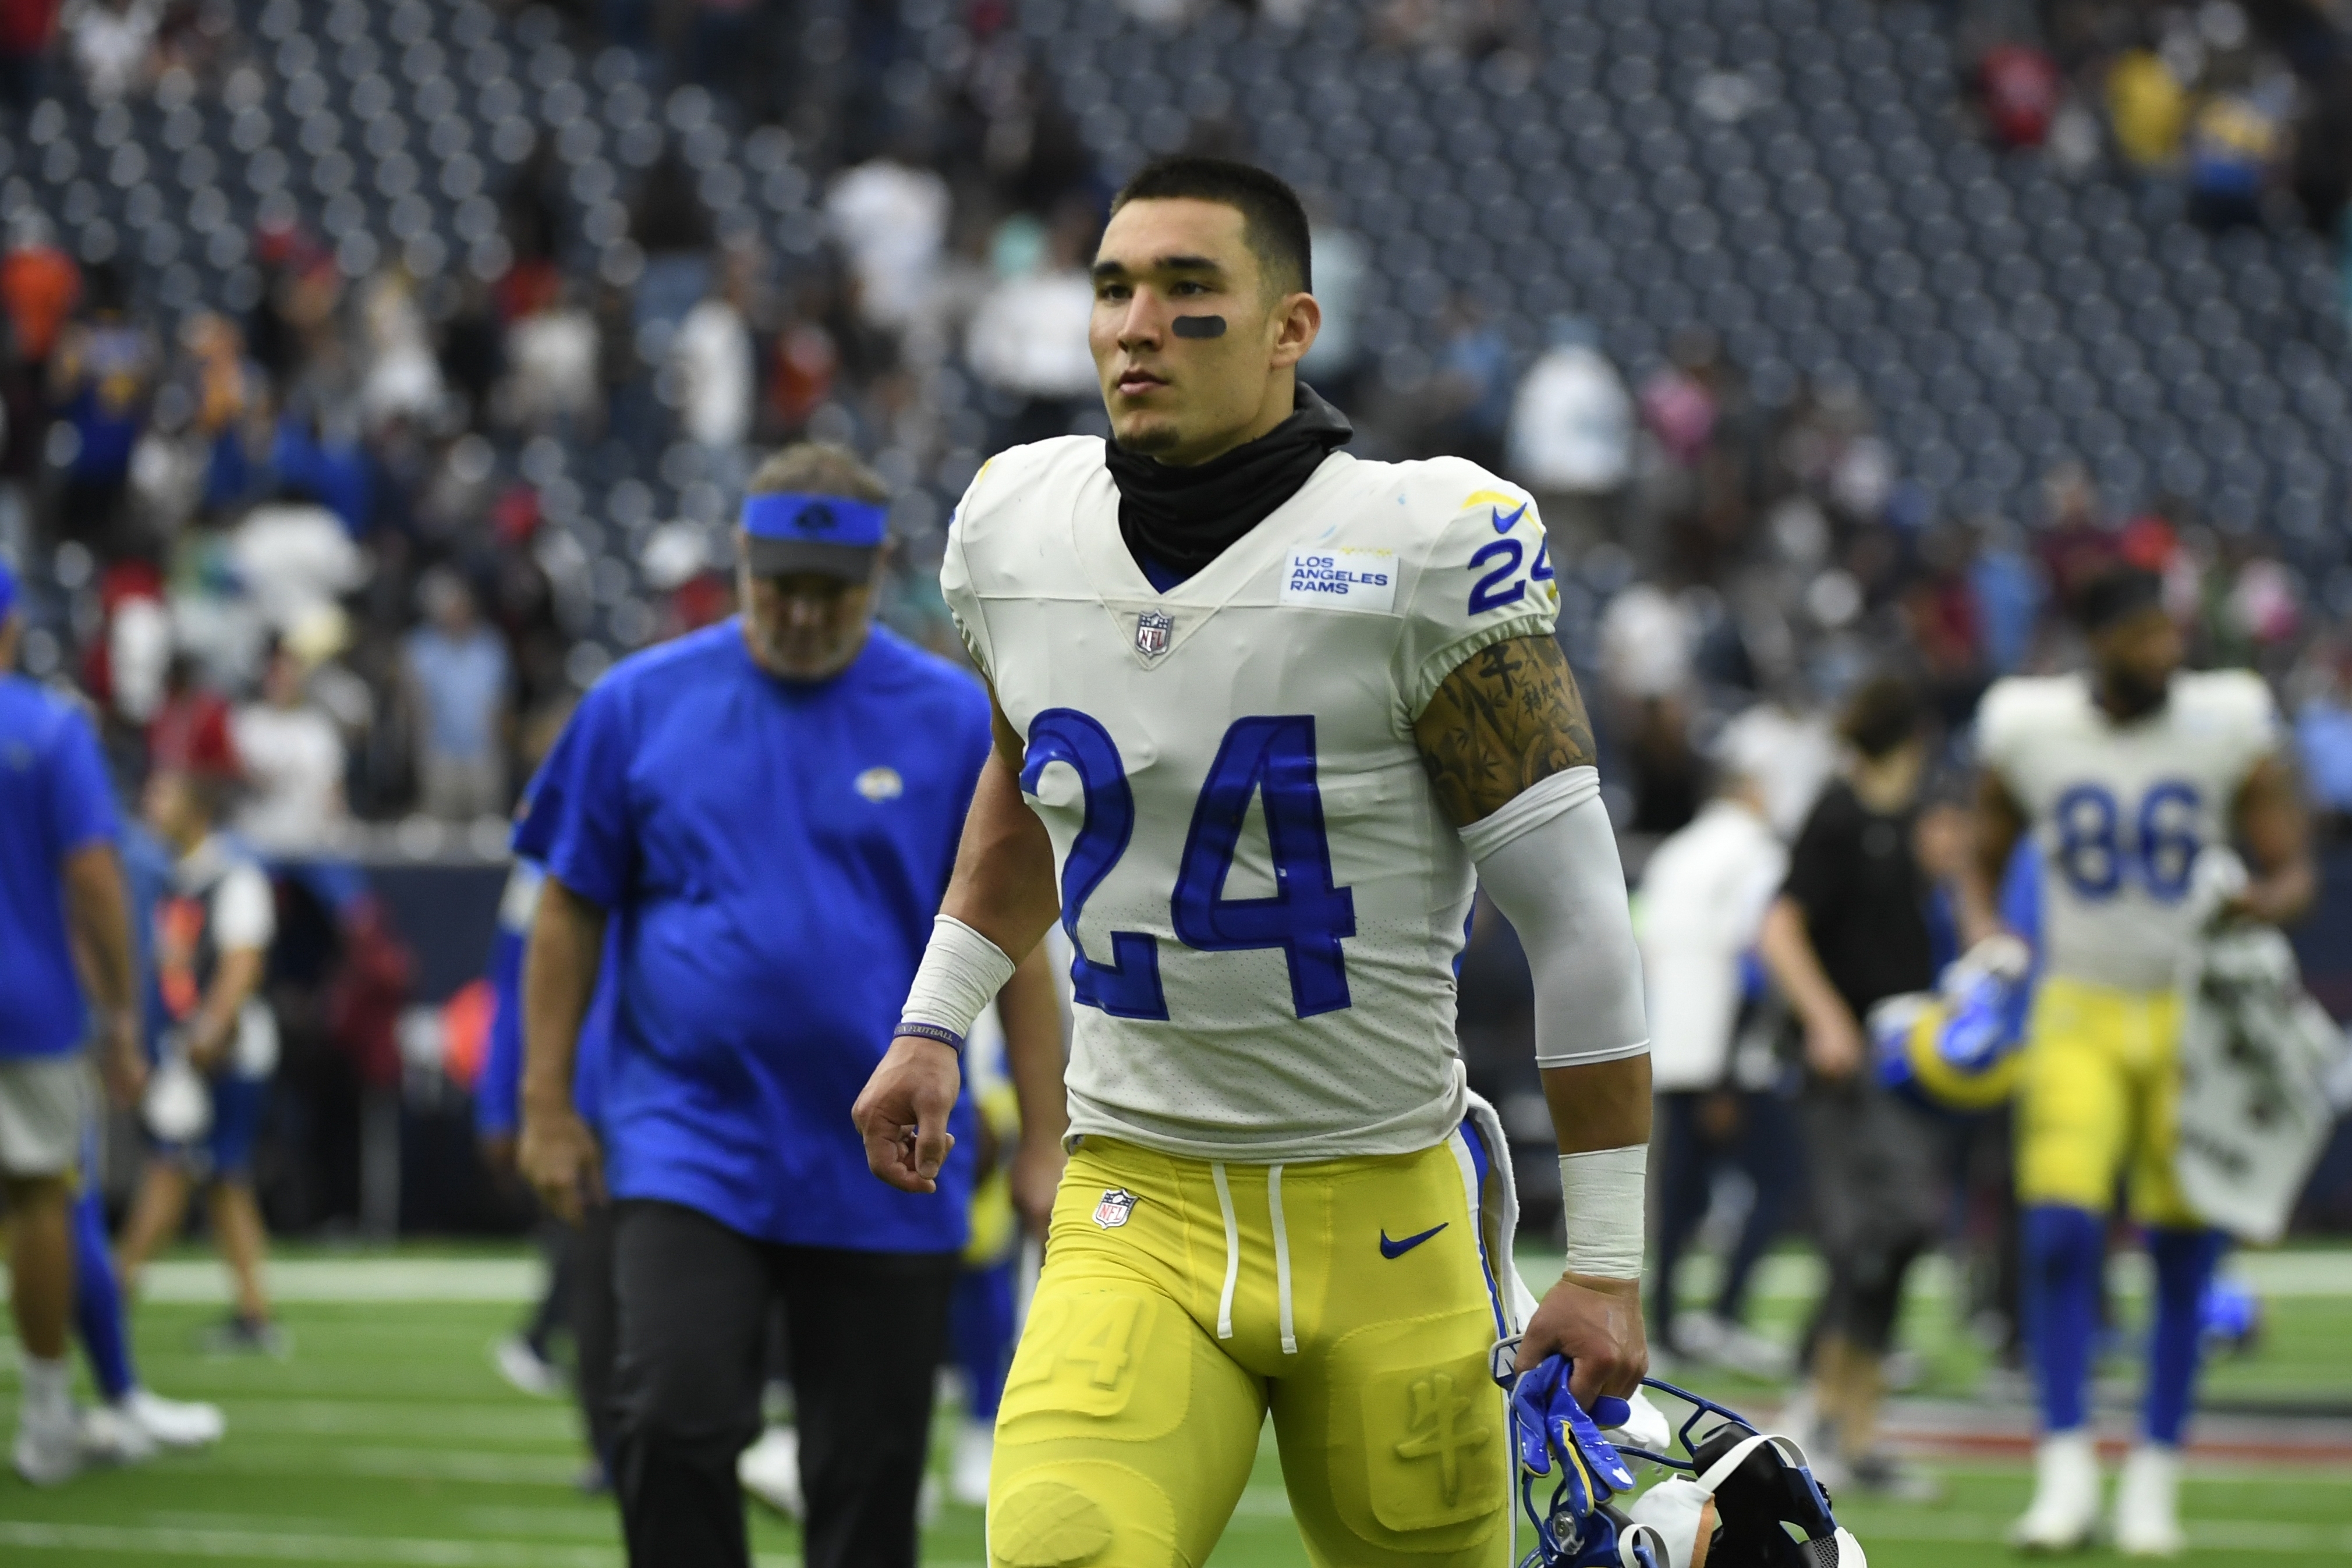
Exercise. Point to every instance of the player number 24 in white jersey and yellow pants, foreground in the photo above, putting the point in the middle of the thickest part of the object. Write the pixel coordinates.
(1267, 716)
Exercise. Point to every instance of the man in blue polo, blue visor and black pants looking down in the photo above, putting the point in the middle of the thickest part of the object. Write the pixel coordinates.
(768, 810)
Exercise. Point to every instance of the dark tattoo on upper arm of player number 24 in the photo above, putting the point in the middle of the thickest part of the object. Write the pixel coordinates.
(1504, 721)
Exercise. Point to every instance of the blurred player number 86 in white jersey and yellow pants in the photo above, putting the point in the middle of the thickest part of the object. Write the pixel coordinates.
(2134, 777)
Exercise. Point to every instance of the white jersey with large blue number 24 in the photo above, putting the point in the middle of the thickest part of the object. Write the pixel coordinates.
(1264, 892)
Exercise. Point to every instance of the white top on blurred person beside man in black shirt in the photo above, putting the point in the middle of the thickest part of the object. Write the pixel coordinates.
(1704, 899)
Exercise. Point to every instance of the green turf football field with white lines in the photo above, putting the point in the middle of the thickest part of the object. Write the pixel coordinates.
(387, 1438)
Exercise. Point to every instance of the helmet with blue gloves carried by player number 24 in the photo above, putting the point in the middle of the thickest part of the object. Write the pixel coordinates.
(1739, 1501)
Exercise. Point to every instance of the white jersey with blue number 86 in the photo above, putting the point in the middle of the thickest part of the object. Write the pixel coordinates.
(2123, 810)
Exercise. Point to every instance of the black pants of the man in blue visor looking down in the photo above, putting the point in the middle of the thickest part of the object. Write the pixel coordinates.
(867, 1336)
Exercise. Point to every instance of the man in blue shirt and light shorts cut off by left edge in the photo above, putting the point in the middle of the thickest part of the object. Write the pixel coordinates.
(62, 916)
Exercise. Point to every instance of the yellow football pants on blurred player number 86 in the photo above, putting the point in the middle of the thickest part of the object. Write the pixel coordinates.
(2099, 1101)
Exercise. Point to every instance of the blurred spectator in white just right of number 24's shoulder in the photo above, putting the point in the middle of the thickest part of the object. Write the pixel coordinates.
(1572, 434)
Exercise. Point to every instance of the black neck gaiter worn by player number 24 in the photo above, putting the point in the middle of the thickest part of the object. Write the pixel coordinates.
(1184, 518)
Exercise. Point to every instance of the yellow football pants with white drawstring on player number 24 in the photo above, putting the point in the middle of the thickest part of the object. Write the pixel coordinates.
(1184, 1299)
